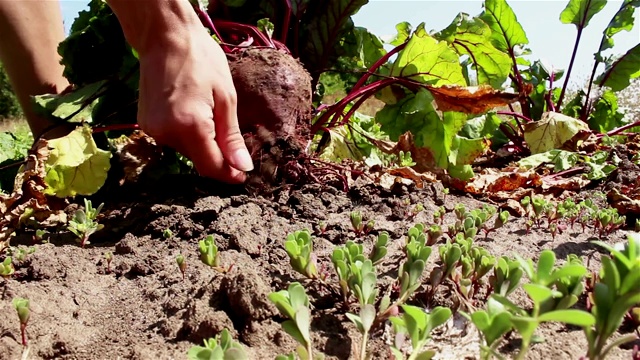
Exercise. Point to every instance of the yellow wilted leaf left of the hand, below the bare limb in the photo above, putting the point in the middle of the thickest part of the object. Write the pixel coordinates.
(76, 166)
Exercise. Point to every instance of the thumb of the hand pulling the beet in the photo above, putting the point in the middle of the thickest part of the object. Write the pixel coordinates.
(229, 138)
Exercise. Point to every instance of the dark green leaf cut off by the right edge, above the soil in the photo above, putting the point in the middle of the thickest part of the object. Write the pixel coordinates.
(617, 75)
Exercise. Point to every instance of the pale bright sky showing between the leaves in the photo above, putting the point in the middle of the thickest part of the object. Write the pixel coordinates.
(549, 39)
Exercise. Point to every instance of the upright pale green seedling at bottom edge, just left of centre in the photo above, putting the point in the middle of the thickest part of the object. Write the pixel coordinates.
(293, 304)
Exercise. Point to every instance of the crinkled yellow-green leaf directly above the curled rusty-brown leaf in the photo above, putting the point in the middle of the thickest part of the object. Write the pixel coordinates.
(472, 37)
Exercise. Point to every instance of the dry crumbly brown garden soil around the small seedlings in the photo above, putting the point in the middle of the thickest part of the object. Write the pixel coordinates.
(139, 307)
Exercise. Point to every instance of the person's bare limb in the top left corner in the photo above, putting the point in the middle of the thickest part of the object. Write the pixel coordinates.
(30, 32)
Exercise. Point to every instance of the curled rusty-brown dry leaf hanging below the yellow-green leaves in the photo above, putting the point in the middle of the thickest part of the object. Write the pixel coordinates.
(471, 100)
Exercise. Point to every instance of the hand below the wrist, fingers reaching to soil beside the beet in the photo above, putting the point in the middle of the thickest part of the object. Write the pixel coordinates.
(188, 101)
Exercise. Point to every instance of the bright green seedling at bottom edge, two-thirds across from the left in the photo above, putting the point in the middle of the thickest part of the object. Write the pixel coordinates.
(418, 324)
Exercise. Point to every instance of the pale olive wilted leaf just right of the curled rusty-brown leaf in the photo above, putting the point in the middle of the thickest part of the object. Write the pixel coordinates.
(552, 132)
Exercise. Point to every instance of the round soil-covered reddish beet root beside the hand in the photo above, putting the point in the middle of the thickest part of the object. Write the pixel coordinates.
(274, 91)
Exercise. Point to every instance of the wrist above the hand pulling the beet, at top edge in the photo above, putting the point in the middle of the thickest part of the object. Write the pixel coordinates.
(148, 24)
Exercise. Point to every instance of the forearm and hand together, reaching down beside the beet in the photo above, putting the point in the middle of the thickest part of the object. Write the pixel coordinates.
(187, 96)
